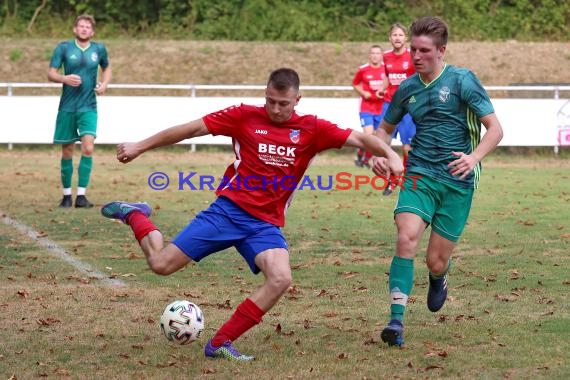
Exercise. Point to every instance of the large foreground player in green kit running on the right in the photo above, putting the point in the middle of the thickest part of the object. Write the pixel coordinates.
(448, 105)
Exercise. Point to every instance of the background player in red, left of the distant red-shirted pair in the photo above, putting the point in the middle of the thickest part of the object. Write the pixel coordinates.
(368, 82)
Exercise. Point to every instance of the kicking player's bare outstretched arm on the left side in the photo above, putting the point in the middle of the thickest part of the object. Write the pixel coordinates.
(126, 152)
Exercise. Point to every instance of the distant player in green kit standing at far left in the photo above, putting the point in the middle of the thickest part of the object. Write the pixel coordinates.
(77, 112)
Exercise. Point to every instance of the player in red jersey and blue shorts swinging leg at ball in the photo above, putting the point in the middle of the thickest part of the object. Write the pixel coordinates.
(271, 143)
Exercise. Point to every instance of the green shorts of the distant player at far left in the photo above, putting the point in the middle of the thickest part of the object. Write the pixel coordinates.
(71, 126)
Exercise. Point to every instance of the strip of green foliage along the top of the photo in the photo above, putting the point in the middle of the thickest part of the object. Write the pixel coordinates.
(282, 20)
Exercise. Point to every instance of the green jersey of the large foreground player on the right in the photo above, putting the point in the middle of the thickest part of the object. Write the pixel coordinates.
(446, 113)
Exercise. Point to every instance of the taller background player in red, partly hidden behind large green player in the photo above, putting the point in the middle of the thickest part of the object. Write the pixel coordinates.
(399, 67)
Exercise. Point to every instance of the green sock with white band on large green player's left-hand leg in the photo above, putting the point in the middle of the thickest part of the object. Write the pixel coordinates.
(401, 283)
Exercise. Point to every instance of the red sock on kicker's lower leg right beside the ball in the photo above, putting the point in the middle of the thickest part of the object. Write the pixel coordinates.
(247, 315)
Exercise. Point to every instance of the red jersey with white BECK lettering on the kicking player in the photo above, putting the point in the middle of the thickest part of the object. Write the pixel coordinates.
(271, 158)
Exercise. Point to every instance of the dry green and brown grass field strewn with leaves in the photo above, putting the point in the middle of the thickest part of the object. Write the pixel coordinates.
(507, 315)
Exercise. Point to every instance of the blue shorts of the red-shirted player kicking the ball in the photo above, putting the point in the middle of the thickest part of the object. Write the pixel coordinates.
(223, 225)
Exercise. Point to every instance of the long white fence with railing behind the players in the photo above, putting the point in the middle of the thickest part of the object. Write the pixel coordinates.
(31, 119)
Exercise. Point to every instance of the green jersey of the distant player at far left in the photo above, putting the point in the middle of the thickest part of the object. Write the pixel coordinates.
(84, 62)
